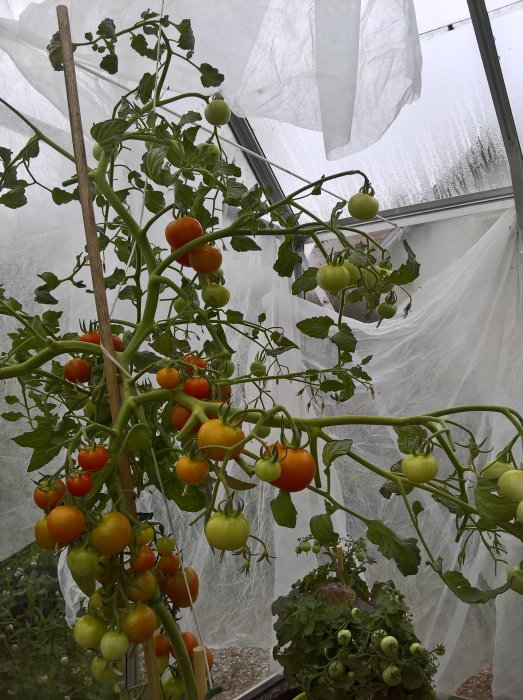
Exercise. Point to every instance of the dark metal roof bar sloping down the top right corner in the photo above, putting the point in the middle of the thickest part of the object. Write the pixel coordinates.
(498, 90)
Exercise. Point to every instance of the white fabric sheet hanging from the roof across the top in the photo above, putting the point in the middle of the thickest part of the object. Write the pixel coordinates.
(313, 64)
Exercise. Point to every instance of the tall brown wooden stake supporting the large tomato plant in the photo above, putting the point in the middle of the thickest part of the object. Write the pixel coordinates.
(100, 296)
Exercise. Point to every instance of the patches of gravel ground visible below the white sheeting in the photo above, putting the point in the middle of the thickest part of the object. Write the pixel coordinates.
(238, 670)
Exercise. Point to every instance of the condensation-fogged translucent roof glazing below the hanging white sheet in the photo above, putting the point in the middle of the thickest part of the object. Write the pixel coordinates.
(446, 144)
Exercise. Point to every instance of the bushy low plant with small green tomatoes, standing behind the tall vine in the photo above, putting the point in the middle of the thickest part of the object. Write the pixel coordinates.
(339, 639)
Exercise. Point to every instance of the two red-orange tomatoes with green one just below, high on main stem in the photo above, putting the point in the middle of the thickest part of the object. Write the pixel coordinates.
(204, 259)
